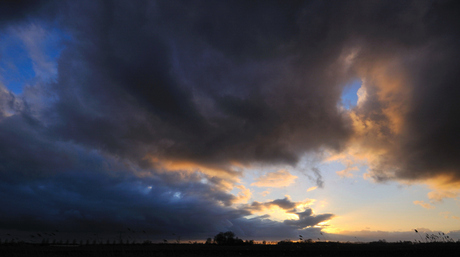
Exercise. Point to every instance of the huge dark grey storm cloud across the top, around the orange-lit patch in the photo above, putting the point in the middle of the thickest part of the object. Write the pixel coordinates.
(244, 81)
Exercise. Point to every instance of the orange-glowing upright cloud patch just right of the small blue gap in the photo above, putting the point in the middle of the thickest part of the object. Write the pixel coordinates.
(378, 119)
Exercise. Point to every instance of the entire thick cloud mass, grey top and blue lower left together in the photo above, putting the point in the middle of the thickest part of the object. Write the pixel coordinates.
(214, 84)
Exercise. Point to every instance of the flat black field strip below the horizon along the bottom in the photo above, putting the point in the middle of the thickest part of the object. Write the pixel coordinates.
(314, 249)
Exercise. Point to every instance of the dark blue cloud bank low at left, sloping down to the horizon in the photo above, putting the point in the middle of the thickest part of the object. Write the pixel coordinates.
(49, 185)
